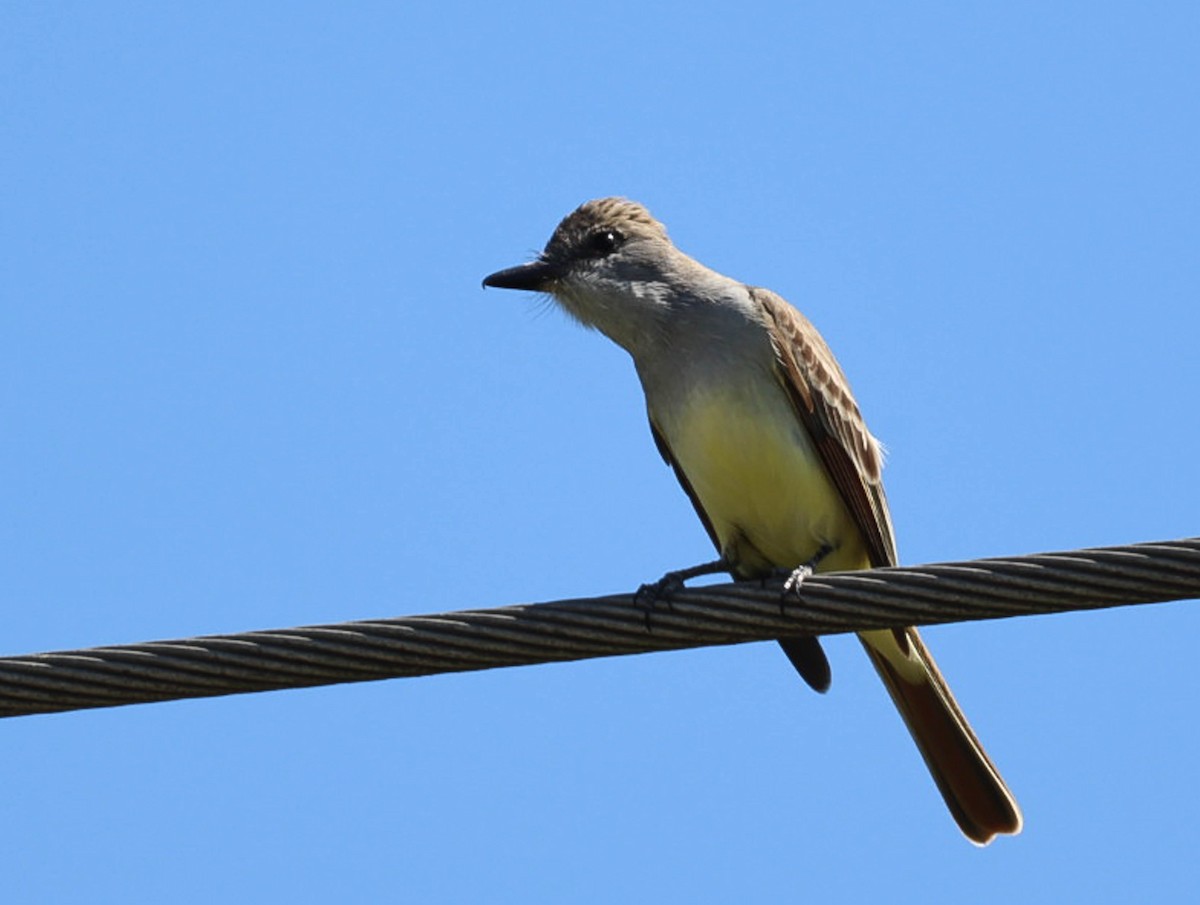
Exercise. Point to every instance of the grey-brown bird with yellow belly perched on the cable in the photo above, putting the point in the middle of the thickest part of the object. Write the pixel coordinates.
(754, 415)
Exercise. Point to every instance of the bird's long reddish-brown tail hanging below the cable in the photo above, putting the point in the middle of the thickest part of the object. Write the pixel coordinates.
(965, 776)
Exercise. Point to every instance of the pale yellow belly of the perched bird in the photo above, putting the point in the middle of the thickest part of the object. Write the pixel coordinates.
(763, 486)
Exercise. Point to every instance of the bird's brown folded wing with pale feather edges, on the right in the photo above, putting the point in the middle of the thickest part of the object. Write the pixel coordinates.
(821, 398)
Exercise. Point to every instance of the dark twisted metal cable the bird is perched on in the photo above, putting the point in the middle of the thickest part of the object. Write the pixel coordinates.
(598, 627)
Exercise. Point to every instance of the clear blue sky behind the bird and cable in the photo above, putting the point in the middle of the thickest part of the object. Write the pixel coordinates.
(249, 380)
